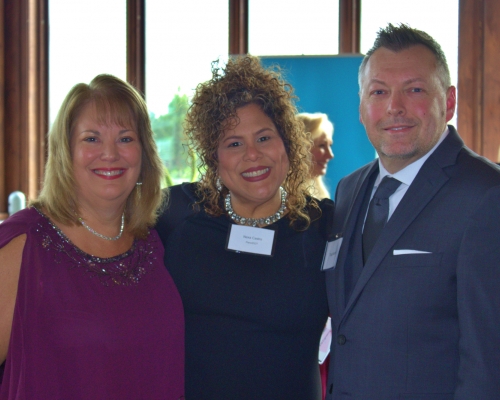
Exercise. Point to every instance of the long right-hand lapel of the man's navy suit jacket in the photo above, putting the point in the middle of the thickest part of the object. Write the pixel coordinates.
(427, 183)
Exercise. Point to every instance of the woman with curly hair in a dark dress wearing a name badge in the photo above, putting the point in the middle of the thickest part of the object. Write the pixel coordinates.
(245, 244)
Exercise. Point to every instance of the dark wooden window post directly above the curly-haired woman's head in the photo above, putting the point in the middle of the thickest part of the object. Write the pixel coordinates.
(238, 26)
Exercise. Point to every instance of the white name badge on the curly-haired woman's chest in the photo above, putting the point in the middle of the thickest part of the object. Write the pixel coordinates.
(247, 239)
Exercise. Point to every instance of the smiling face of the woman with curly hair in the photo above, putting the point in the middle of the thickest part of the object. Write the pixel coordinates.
(253, 162)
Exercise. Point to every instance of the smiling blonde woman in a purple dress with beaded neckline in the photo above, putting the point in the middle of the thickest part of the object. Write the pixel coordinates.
(87, 308)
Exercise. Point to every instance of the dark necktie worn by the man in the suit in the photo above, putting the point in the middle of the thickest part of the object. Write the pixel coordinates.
(378, 214)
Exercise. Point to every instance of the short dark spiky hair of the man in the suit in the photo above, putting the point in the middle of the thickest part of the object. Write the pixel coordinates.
(402, 37)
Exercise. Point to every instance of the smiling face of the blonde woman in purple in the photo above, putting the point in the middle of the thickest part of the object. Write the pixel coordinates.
(106, 159)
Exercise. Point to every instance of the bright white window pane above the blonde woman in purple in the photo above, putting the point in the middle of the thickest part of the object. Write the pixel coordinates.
(87, 38)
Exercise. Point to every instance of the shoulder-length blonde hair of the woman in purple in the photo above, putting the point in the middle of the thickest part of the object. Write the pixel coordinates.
(118, 102)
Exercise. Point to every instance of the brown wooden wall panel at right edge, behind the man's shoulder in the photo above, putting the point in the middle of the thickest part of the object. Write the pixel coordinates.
(478, 77)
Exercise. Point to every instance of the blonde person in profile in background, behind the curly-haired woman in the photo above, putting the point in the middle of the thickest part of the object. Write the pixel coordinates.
(321, 130)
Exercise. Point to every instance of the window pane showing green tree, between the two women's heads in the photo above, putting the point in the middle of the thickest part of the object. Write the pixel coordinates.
(182, 39)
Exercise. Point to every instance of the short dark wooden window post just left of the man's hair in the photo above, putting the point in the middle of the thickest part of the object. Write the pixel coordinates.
(349, 26)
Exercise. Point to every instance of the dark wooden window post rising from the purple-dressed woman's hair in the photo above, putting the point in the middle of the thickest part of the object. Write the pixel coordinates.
(136, 44)
